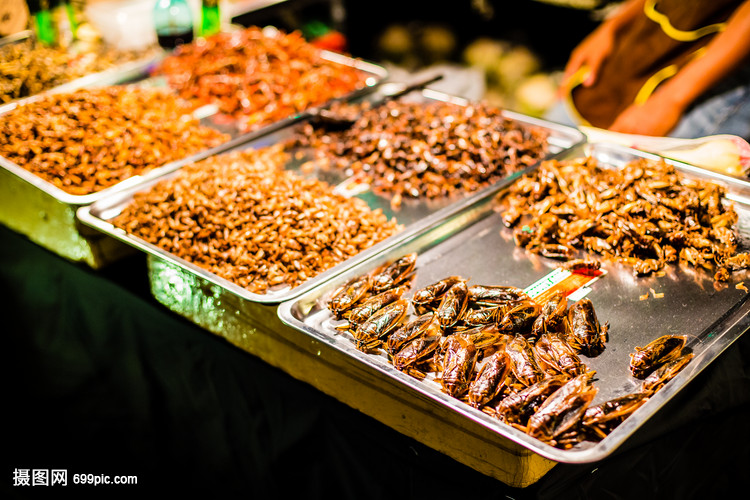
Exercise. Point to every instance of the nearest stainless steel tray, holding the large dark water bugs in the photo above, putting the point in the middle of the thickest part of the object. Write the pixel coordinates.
(475, 244)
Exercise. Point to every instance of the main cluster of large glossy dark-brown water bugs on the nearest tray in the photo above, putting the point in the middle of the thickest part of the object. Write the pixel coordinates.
(491, 346)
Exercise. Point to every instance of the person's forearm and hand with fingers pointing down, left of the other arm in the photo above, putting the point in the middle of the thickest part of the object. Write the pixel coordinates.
(595, 48)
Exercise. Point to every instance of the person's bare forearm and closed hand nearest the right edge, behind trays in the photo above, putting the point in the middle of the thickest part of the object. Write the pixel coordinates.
(661, 112)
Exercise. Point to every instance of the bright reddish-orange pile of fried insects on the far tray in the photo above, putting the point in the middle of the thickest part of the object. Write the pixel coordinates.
(258, 76)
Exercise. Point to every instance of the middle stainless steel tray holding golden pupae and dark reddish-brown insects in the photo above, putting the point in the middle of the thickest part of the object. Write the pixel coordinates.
(414, 215)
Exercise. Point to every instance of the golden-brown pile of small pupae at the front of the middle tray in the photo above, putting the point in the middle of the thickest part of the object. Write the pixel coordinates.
(243, 217)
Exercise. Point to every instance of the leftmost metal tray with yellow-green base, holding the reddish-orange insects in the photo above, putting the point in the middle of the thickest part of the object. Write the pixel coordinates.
(46, 214)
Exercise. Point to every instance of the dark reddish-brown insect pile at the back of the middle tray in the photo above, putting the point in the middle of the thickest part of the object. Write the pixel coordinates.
(427, 150)
